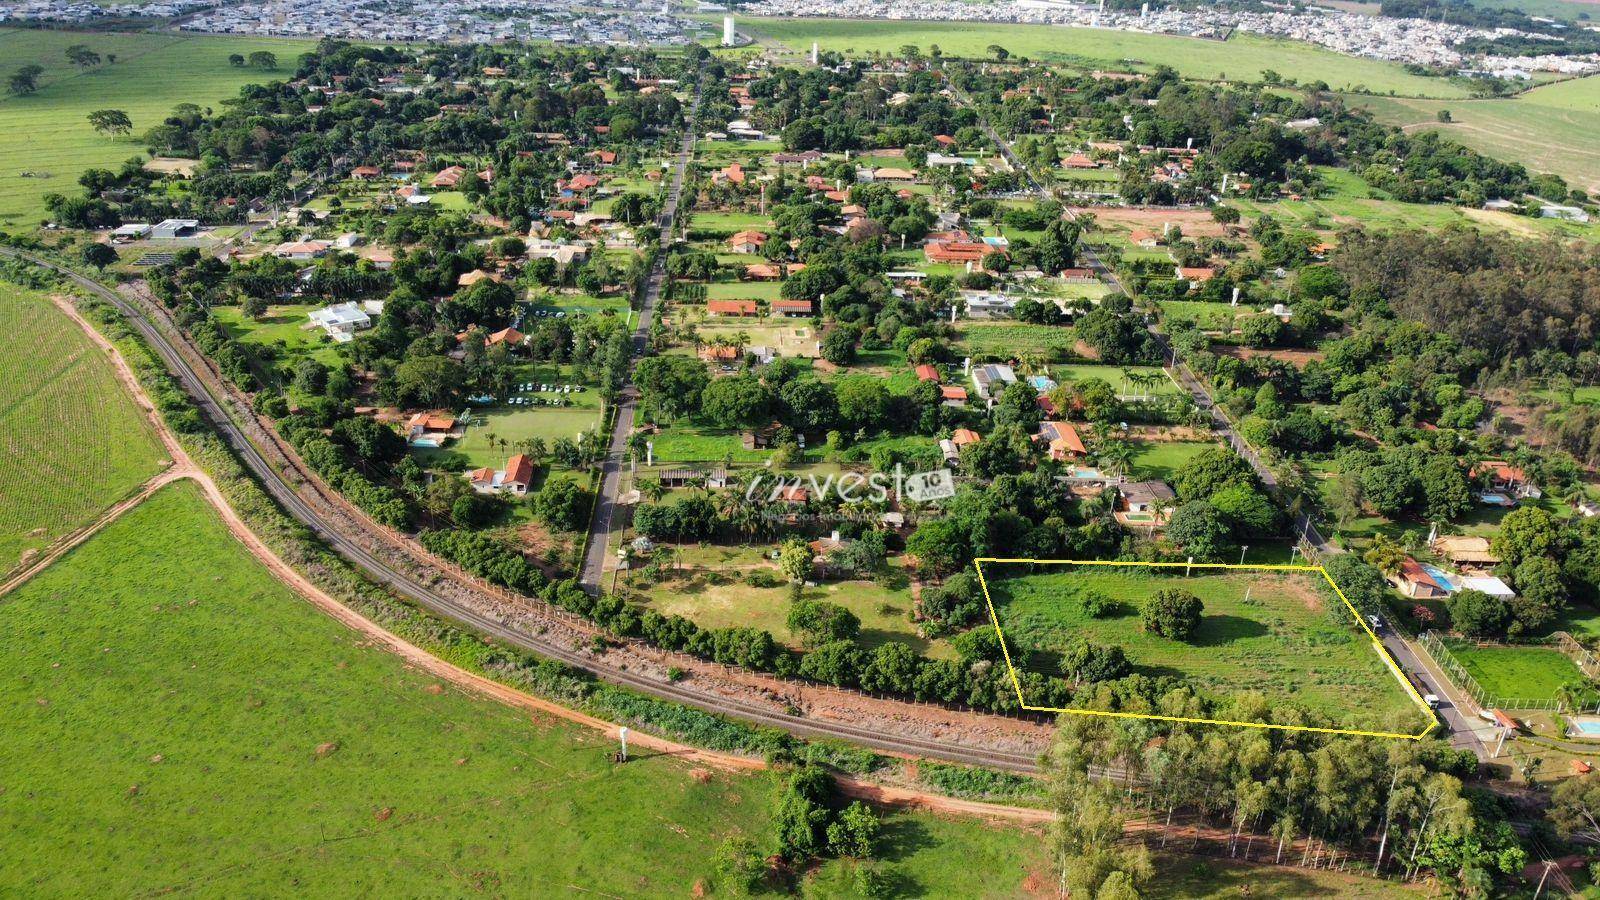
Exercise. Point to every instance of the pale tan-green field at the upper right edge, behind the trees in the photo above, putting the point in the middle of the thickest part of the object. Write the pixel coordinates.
(1548, 129)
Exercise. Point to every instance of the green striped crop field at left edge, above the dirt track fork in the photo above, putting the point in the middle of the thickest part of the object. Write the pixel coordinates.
(71, 440)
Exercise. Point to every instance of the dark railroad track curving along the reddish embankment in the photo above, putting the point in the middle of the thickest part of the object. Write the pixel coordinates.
(439, 605)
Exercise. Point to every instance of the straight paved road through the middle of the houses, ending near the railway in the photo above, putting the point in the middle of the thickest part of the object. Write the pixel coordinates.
(604, 523)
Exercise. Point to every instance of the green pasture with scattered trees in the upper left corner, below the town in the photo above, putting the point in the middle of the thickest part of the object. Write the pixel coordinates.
(153, 74)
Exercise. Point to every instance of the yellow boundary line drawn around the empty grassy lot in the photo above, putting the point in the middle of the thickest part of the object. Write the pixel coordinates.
(1378, 646)
